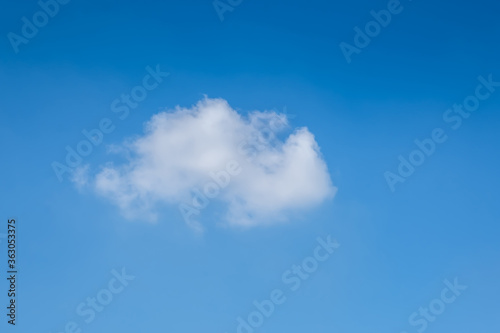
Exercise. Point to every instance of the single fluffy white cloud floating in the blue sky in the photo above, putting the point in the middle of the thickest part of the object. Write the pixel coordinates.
(192, 156)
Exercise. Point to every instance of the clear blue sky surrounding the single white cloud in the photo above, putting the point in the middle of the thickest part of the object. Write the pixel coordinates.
(396, 247)
